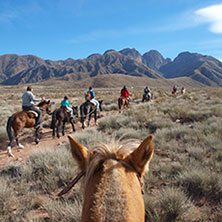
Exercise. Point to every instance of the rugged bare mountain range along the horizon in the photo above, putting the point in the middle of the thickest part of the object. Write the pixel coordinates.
(207, 70)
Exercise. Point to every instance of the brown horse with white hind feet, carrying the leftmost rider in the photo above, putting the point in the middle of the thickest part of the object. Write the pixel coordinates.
(25, 119)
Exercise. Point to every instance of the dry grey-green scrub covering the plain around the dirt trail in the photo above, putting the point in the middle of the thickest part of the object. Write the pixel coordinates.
(184, 183)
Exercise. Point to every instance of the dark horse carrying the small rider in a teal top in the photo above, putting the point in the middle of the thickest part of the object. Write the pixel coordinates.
(61, 116)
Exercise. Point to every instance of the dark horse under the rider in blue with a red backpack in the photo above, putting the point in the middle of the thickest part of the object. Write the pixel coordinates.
(88, 109)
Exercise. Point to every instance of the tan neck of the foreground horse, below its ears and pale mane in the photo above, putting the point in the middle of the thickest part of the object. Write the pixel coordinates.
(114, 194)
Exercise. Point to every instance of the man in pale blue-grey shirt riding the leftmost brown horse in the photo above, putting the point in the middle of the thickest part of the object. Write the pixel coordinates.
(28, 100)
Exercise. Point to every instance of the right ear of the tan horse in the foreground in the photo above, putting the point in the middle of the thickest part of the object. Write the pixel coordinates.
(139, 159)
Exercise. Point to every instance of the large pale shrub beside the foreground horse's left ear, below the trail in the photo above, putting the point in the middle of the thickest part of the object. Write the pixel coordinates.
(49, 168)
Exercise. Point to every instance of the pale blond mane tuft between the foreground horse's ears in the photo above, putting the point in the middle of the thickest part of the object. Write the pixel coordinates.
(116, 150)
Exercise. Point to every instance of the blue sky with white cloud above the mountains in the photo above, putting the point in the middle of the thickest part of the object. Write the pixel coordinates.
(61, 29)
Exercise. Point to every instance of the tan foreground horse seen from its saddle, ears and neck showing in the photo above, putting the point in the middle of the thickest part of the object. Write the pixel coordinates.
(113, 180)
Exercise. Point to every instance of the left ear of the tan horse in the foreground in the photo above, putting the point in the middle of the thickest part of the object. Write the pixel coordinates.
(79, 153)
